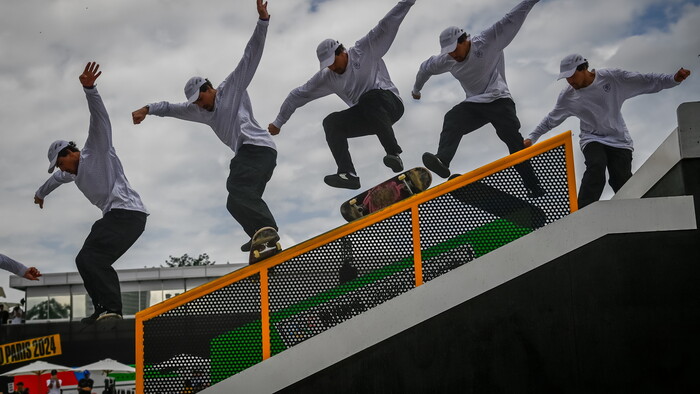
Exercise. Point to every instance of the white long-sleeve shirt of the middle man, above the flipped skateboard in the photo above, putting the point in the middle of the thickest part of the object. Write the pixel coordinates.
(366, 69)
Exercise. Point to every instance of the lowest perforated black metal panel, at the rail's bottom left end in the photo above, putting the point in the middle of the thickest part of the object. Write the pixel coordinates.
(191, 341)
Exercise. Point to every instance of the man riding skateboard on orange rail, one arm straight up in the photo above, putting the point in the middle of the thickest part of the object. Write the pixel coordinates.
(229, 112)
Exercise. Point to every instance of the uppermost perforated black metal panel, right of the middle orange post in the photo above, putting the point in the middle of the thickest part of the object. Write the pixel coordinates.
(482, 216)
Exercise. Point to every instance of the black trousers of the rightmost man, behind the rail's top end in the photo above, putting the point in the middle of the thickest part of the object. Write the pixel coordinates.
(599, 157)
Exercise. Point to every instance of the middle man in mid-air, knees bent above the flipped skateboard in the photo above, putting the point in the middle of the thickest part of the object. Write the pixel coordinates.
(360, 78)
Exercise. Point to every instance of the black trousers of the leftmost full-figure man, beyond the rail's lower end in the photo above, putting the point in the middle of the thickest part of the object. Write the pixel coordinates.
(109, 238)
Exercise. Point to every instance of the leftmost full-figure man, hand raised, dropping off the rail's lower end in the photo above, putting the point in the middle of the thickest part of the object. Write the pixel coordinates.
(98, 173)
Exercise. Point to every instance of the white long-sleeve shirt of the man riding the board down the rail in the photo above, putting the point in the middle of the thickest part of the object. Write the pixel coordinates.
(232, 118)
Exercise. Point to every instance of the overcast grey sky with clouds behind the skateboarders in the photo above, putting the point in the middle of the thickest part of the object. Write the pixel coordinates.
(148, 49)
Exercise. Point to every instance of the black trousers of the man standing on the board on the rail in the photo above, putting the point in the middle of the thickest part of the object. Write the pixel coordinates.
(250, 170)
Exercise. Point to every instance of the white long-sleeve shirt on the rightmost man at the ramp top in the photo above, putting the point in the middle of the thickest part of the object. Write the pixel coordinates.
(598, 106)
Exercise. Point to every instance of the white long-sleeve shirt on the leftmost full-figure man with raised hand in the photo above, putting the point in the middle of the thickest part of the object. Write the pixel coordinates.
(100, 173)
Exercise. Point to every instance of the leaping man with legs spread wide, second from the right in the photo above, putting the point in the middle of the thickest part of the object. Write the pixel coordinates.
(478, 64)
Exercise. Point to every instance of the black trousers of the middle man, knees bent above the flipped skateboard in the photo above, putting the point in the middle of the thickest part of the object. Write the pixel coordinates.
(375, 113)
